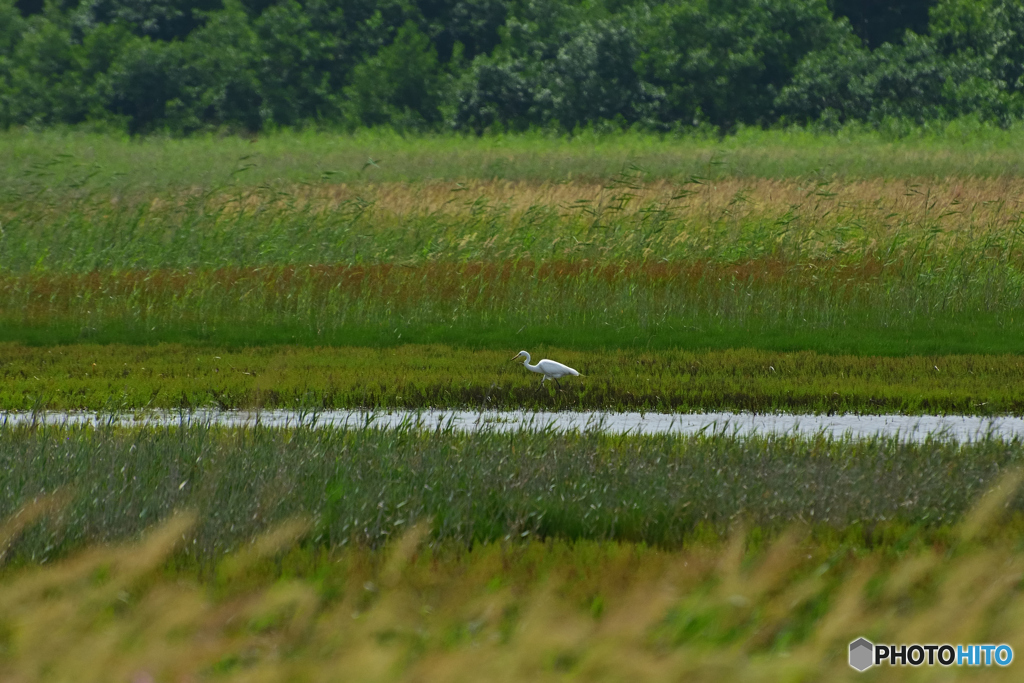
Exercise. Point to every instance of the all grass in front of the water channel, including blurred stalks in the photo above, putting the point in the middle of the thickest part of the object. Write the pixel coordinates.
(401, 554)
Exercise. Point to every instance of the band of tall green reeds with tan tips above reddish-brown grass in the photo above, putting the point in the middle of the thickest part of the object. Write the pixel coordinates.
(623, 221)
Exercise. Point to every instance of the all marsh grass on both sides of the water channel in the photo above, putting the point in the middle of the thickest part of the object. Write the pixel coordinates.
(798, 274)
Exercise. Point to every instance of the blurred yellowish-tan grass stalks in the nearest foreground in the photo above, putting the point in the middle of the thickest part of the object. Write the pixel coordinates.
(504, 612)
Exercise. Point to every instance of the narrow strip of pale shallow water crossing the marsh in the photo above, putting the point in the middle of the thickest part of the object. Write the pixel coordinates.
(915, 429)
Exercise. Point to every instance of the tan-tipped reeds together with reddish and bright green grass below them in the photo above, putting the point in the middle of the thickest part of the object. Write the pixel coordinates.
(866, 269)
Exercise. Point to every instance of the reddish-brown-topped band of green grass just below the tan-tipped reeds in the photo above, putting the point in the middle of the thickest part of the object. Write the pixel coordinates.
(769, 306)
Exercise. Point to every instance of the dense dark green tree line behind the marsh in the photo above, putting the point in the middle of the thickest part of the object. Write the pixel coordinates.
(478, 65)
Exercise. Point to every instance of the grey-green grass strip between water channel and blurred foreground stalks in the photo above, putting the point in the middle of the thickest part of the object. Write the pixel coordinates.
(366, 486)
